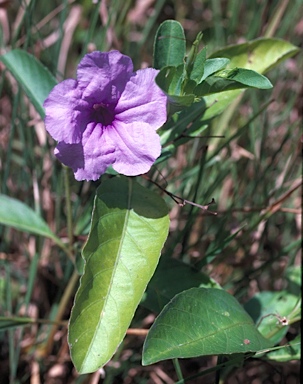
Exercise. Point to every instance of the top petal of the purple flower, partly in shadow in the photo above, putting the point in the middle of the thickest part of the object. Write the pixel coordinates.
(103, 75)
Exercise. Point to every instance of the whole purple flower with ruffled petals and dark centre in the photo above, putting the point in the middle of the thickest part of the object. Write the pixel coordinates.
(108, 116)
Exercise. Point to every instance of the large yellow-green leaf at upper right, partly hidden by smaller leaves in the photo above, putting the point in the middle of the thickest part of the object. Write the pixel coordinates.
(260, 55)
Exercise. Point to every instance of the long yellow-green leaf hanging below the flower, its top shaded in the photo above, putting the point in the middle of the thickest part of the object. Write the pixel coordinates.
(129, 227)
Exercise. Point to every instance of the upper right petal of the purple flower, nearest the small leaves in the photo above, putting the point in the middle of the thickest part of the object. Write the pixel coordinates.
(142, 100)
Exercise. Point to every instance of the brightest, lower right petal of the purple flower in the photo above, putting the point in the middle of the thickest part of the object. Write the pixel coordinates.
(137, 146)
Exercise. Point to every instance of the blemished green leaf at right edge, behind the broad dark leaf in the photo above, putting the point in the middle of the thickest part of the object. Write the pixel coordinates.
(266, 308)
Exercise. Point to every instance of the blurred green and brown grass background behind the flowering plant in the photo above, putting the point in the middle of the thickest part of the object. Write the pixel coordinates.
(254, 175)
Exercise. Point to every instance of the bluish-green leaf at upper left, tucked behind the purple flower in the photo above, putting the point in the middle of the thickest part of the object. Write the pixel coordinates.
(34, 78)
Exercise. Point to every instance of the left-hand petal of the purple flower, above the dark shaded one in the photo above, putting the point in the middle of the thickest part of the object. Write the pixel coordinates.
(65, 112)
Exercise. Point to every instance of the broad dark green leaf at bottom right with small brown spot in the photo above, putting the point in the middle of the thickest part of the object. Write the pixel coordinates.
(201, 322)
